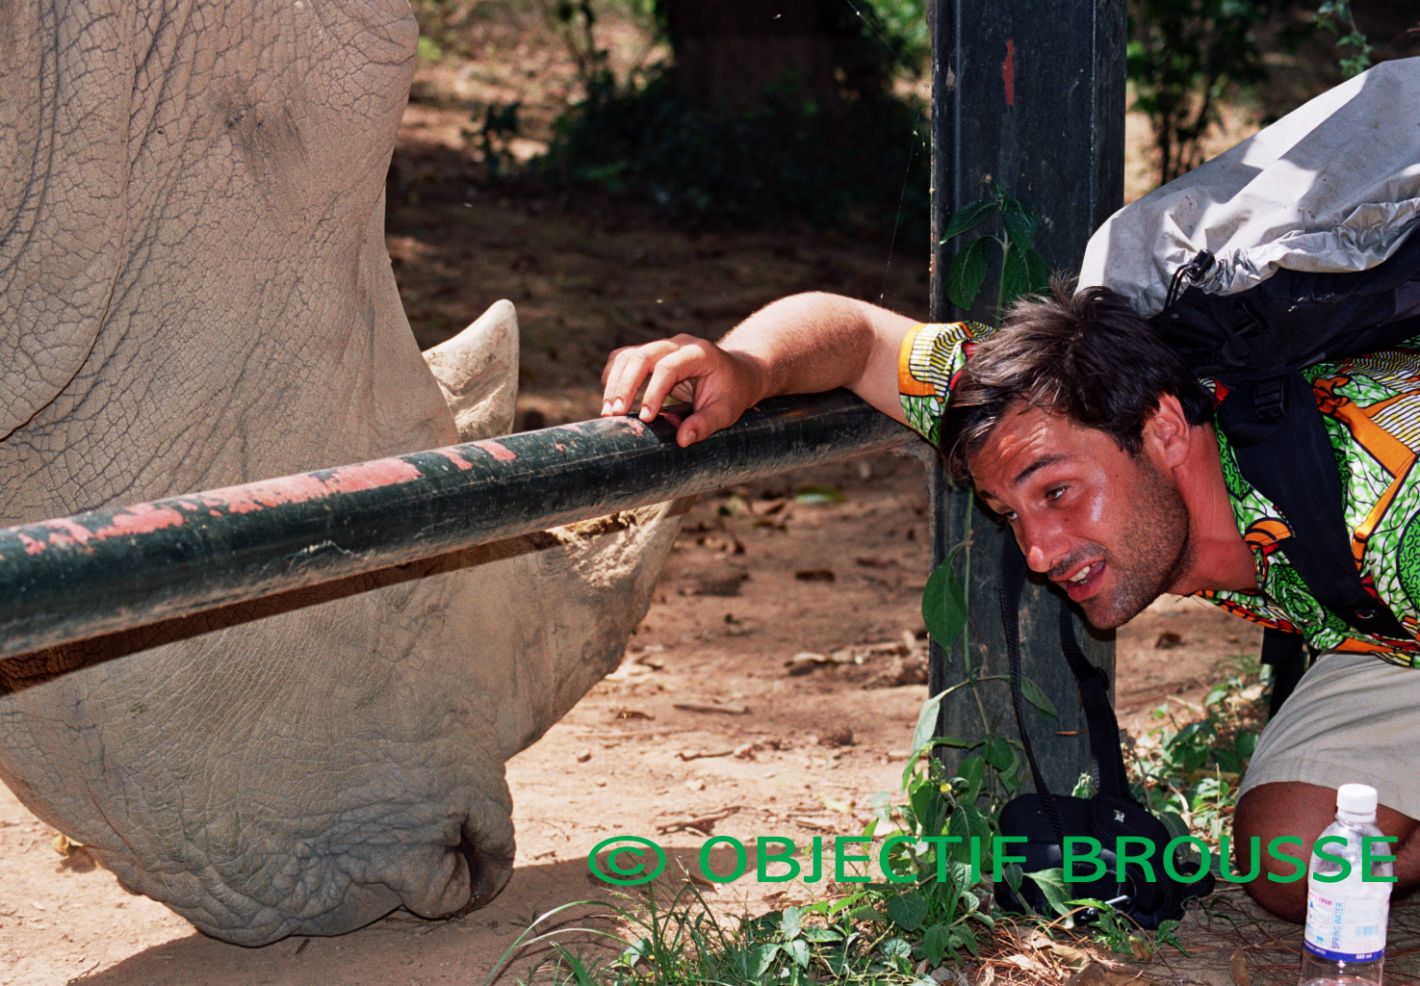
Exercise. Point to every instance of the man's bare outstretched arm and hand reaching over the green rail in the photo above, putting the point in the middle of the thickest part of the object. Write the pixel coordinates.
(802, 345)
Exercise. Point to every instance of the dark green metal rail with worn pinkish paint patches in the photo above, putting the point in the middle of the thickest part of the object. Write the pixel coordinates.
(123, 568)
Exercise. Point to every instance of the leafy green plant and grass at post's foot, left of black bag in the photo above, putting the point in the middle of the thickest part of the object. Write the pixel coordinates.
(883, 933)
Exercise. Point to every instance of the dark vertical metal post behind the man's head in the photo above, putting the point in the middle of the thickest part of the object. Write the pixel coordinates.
(1030, 94)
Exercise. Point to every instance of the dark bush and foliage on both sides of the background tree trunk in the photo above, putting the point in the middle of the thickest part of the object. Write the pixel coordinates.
(858, 157)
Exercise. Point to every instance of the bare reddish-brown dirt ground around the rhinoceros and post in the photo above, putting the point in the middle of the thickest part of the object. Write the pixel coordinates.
(772, 688)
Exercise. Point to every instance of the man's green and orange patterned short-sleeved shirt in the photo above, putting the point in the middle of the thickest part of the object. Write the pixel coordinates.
(1371, 408)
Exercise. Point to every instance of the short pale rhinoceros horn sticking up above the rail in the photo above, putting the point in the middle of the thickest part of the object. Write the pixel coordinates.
(478, 373)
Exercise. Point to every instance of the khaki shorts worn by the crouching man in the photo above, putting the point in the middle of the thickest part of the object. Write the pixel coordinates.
(1353, 720)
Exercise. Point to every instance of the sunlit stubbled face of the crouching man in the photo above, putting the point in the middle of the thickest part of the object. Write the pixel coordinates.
(1108, 526)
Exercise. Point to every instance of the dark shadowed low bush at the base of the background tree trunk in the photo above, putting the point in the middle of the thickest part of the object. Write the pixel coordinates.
(785, 157)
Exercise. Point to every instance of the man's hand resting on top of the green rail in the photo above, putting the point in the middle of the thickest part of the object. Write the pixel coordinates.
(718, 386)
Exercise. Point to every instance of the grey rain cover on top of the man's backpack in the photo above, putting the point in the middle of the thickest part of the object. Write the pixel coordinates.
(1333, 187)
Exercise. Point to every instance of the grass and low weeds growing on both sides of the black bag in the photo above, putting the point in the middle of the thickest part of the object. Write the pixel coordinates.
(939, 926)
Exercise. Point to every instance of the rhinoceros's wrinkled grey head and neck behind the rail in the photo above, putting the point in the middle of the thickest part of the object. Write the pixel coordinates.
(197, 293)
